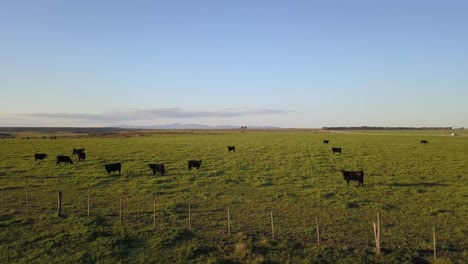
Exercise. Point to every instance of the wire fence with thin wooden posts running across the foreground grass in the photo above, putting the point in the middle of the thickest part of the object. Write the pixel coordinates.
(274, 221)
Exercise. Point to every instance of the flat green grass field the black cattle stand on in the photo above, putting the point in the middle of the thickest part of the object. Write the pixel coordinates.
(289, 174)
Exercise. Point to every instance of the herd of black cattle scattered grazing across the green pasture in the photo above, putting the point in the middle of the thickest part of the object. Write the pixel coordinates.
(159, 168)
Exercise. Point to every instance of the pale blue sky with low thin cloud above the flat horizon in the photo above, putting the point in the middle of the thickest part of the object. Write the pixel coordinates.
(233, 62)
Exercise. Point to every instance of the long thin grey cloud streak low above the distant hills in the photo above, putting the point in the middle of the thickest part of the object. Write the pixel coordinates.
(120, 116)
